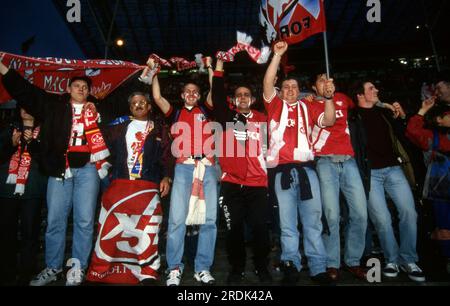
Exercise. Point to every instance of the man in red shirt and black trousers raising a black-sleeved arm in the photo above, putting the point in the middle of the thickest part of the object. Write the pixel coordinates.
(243, 197)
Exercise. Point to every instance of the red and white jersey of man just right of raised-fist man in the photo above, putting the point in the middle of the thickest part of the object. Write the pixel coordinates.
(334, 140)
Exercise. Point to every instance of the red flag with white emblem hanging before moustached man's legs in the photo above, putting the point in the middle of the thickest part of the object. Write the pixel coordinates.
(126, 250)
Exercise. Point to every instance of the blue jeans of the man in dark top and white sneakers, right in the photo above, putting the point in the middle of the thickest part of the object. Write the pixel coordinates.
(393, 181)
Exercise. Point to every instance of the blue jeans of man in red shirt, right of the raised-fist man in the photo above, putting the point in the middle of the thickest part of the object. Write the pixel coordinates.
(343, 176)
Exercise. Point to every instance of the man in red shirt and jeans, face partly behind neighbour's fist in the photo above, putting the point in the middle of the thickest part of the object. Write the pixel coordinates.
(338, 171)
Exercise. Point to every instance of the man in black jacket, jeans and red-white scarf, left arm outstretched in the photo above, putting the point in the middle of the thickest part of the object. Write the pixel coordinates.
(73, 153)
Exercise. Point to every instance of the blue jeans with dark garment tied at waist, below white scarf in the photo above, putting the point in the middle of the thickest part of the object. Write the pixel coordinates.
(310, 211)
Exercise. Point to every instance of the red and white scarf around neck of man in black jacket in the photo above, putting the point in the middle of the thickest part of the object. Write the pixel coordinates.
(95, 143)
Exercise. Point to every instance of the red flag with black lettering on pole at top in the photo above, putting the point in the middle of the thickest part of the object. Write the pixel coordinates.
(292, 20)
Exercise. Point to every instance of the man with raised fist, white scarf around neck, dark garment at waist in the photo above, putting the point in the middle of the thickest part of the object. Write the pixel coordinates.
(296, 185)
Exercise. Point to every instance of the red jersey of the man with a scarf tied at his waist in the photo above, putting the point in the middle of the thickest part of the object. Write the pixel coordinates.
(191, 133)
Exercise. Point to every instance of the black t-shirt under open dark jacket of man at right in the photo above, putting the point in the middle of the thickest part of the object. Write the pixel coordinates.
(379, 143)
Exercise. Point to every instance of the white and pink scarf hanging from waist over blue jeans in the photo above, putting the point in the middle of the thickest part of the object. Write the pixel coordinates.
(197, 204)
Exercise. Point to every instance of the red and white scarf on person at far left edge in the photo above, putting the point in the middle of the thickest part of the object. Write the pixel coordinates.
(19, 166)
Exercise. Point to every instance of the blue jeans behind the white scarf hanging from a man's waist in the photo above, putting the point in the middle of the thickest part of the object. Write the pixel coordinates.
(179, 206)
